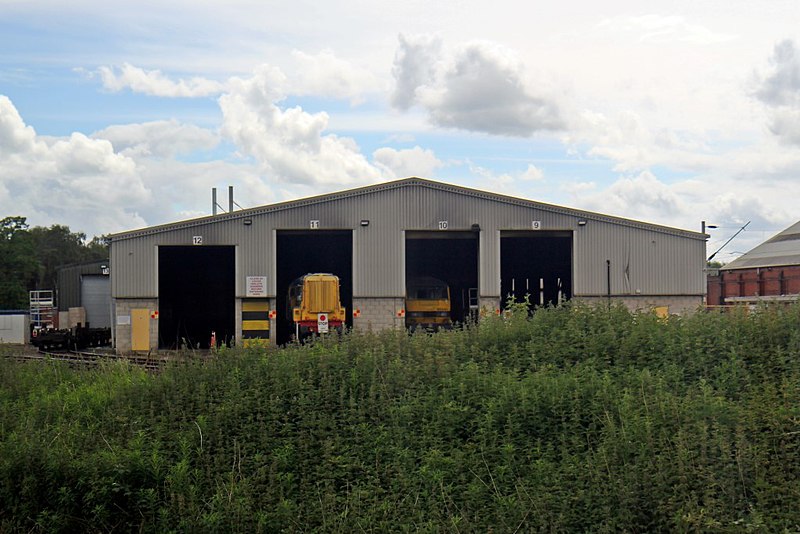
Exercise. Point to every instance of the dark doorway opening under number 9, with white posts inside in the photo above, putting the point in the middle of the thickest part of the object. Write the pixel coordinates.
(537, 264)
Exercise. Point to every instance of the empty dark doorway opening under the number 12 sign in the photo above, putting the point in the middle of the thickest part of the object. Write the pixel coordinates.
(196, 293)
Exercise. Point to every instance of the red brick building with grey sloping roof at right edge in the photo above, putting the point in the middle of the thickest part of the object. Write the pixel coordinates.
(768, 273)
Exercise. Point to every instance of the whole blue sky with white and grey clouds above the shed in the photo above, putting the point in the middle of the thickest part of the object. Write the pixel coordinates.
(117, 115)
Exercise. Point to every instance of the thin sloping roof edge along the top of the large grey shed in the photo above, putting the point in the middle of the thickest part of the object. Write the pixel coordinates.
(397, 184)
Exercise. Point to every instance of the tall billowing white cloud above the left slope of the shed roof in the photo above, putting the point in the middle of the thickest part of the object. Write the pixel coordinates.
(289, 144)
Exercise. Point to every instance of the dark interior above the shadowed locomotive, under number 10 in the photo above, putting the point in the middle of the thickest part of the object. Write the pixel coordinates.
(449, 256)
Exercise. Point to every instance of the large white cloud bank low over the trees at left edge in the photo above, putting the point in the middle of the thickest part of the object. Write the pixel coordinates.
(88, 185)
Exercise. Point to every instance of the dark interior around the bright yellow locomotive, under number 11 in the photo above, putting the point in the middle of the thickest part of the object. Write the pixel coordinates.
(317, 251)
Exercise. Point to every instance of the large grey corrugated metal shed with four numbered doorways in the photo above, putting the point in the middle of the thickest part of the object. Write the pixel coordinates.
(485, 245)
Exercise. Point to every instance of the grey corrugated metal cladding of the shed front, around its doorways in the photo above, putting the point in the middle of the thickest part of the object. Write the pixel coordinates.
(645, 258)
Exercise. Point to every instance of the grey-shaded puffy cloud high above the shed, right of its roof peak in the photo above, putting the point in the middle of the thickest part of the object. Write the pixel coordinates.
(479, 86)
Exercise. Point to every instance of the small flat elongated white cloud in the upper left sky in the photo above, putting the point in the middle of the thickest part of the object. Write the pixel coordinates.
(160, 139)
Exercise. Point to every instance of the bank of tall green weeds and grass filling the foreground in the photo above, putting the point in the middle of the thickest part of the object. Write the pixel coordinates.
(576, 418)
